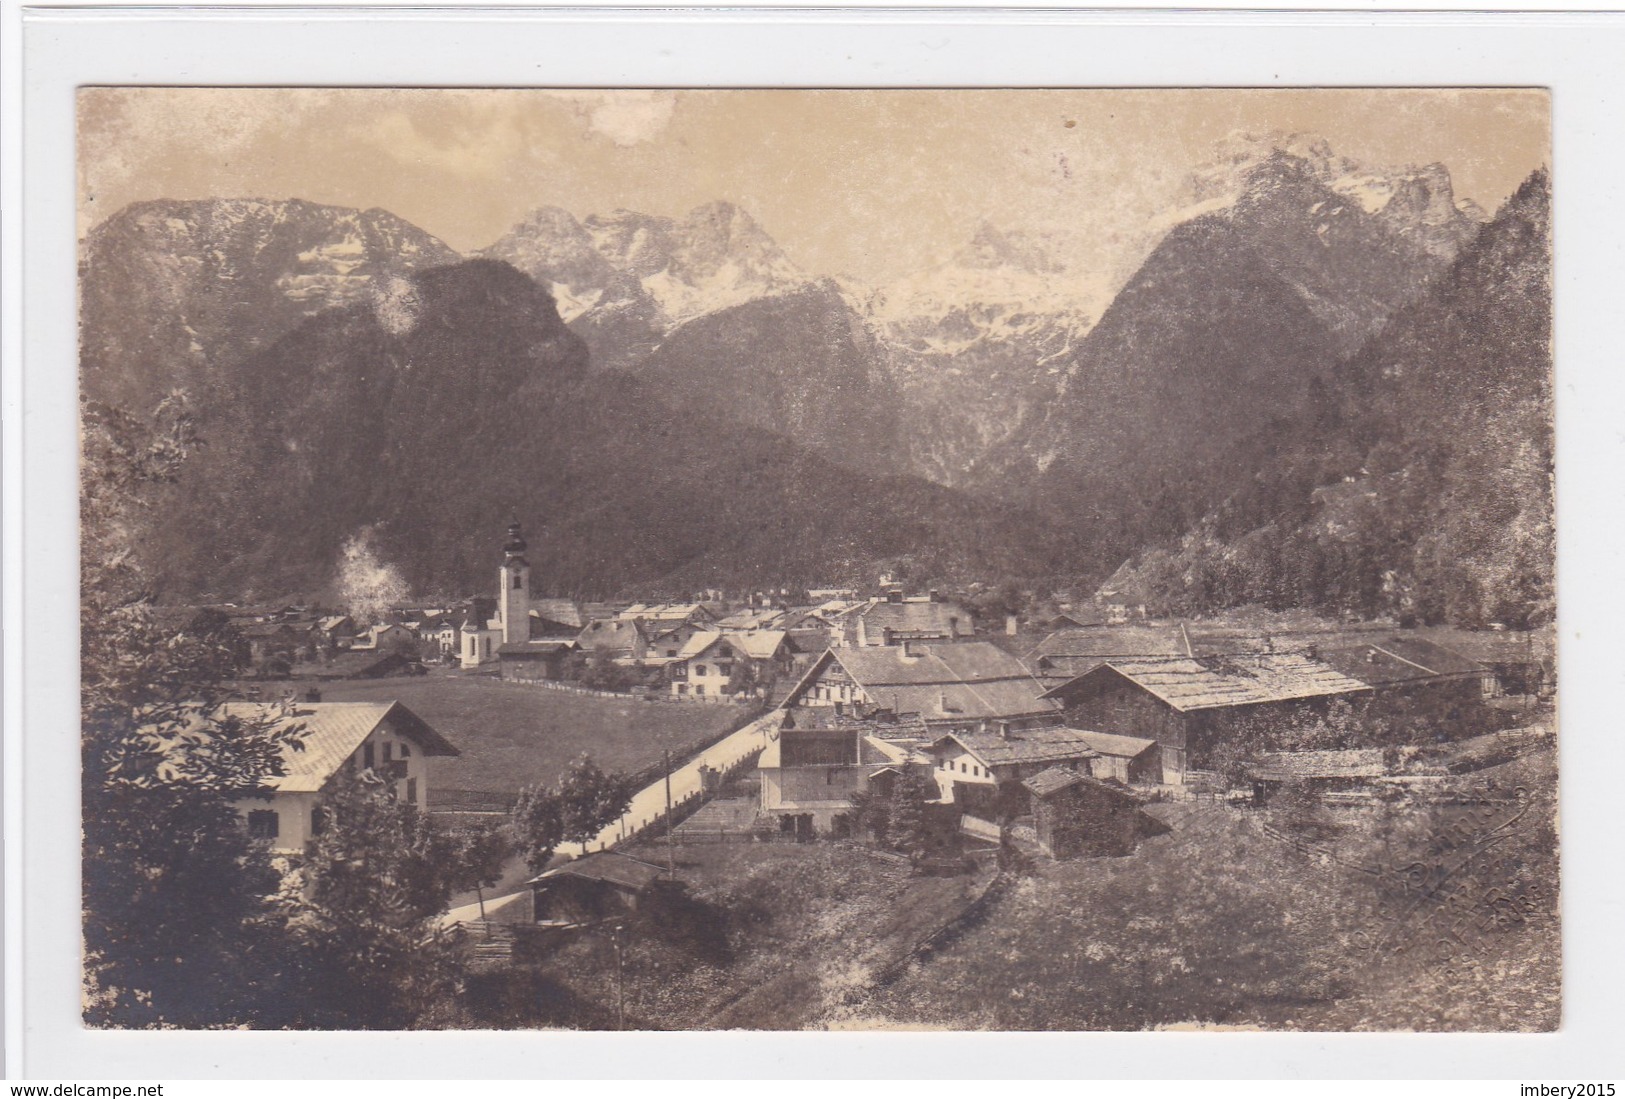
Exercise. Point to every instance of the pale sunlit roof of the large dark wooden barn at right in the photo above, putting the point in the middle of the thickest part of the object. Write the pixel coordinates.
(1202, 684)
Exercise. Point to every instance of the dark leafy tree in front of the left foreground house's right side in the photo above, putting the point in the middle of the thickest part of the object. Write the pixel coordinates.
(376, 882)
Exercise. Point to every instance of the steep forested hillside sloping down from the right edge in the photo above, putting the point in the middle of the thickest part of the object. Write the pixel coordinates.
(1426, 489)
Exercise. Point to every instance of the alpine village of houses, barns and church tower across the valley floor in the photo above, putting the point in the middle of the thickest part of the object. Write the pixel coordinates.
(945, 747)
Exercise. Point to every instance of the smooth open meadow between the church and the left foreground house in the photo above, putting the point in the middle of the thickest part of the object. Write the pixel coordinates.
(514, 736)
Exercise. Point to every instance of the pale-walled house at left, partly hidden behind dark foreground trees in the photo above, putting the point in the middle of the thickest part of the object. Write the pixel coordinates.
(384, 739)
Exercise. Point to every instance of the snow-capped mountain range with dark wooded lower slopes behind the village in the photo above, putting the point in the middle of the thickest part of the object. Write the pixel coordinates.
(672, 401)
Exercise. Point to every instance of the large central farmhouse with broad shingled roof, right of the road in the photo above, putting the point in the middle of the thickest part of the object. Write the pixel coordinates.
(969, 685)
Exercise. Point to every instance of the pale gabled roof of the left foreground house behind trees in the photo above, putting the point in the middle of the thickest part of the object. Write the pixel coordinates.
(332, 732)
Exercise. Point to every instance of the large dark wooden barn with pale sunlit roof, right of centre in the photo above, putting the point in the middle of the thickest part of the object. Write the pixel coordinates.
(1189, 703)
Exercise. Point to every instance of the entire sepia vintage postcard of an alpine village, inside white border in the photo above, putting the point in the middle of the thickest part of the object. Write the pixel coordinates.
(984, 560)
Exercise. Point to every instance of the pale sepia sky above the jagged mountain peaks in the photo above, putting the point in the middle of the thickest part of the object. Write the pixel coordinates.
(869, 185)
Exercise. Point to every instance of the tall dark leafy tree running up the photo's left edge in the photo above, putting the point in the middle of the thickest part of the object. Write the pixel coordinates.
(180, 923)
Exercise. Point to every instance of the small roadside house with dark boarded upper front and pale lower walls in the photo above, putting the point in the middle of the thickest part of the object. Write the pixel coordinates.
(810, 775)
